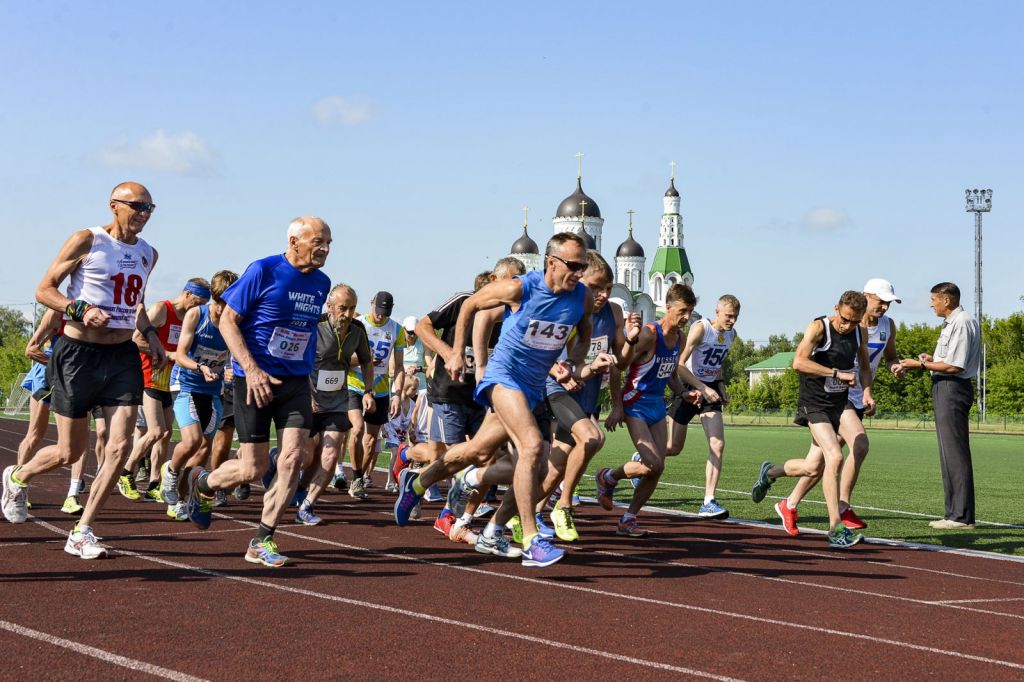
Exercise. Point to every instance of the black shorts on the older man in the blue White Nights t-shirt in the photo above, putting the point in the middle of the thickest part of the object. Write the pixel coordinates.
(290, 409)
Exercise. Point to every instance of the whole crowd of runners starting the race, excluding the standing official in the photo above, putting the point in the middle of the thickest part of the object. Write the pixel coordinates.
(488, 406)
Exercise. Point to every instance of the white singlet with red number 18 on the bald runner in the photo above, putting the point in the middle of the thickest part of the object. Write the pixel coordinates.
(113, 278)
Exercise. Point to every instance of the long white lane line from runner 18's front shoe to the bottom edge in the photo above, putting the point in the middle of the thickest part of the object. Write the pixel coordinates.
(416, 615)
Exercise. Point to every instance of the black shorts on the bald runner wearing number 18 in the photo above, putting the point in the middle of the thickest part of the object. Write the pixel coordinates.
(88, 375)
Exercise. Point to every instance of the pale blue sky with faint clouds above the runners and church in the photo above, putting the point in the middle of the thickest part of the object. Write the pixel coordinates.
(819, 146)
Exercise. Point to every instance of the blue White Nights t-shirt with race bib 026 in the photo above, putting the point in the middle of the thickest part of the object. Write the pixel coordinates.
(280, 309)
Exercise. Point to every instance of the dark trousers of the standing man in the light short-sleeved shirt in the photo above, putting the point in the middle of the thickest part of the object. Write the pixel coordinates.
(953, 399)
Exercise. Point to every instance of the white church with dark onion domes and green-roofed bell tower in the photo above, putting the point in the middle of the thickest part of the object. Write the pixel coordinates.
(634, 289)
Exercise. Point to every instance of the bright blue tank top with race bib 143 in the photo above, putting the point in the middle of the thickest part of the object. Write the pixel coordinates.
(533, 337)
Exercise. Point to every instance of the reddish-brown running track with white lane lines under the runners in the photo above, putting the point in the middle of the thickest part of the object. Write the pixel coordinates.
(366, 600)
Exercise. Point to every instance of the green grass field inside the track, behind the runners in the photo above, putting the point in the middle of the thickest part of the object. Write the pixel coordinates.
(901, 480)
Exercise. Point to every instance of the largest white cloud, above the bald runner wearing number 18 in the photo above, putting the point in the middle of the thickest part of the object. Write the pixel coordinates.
(186, 154)
